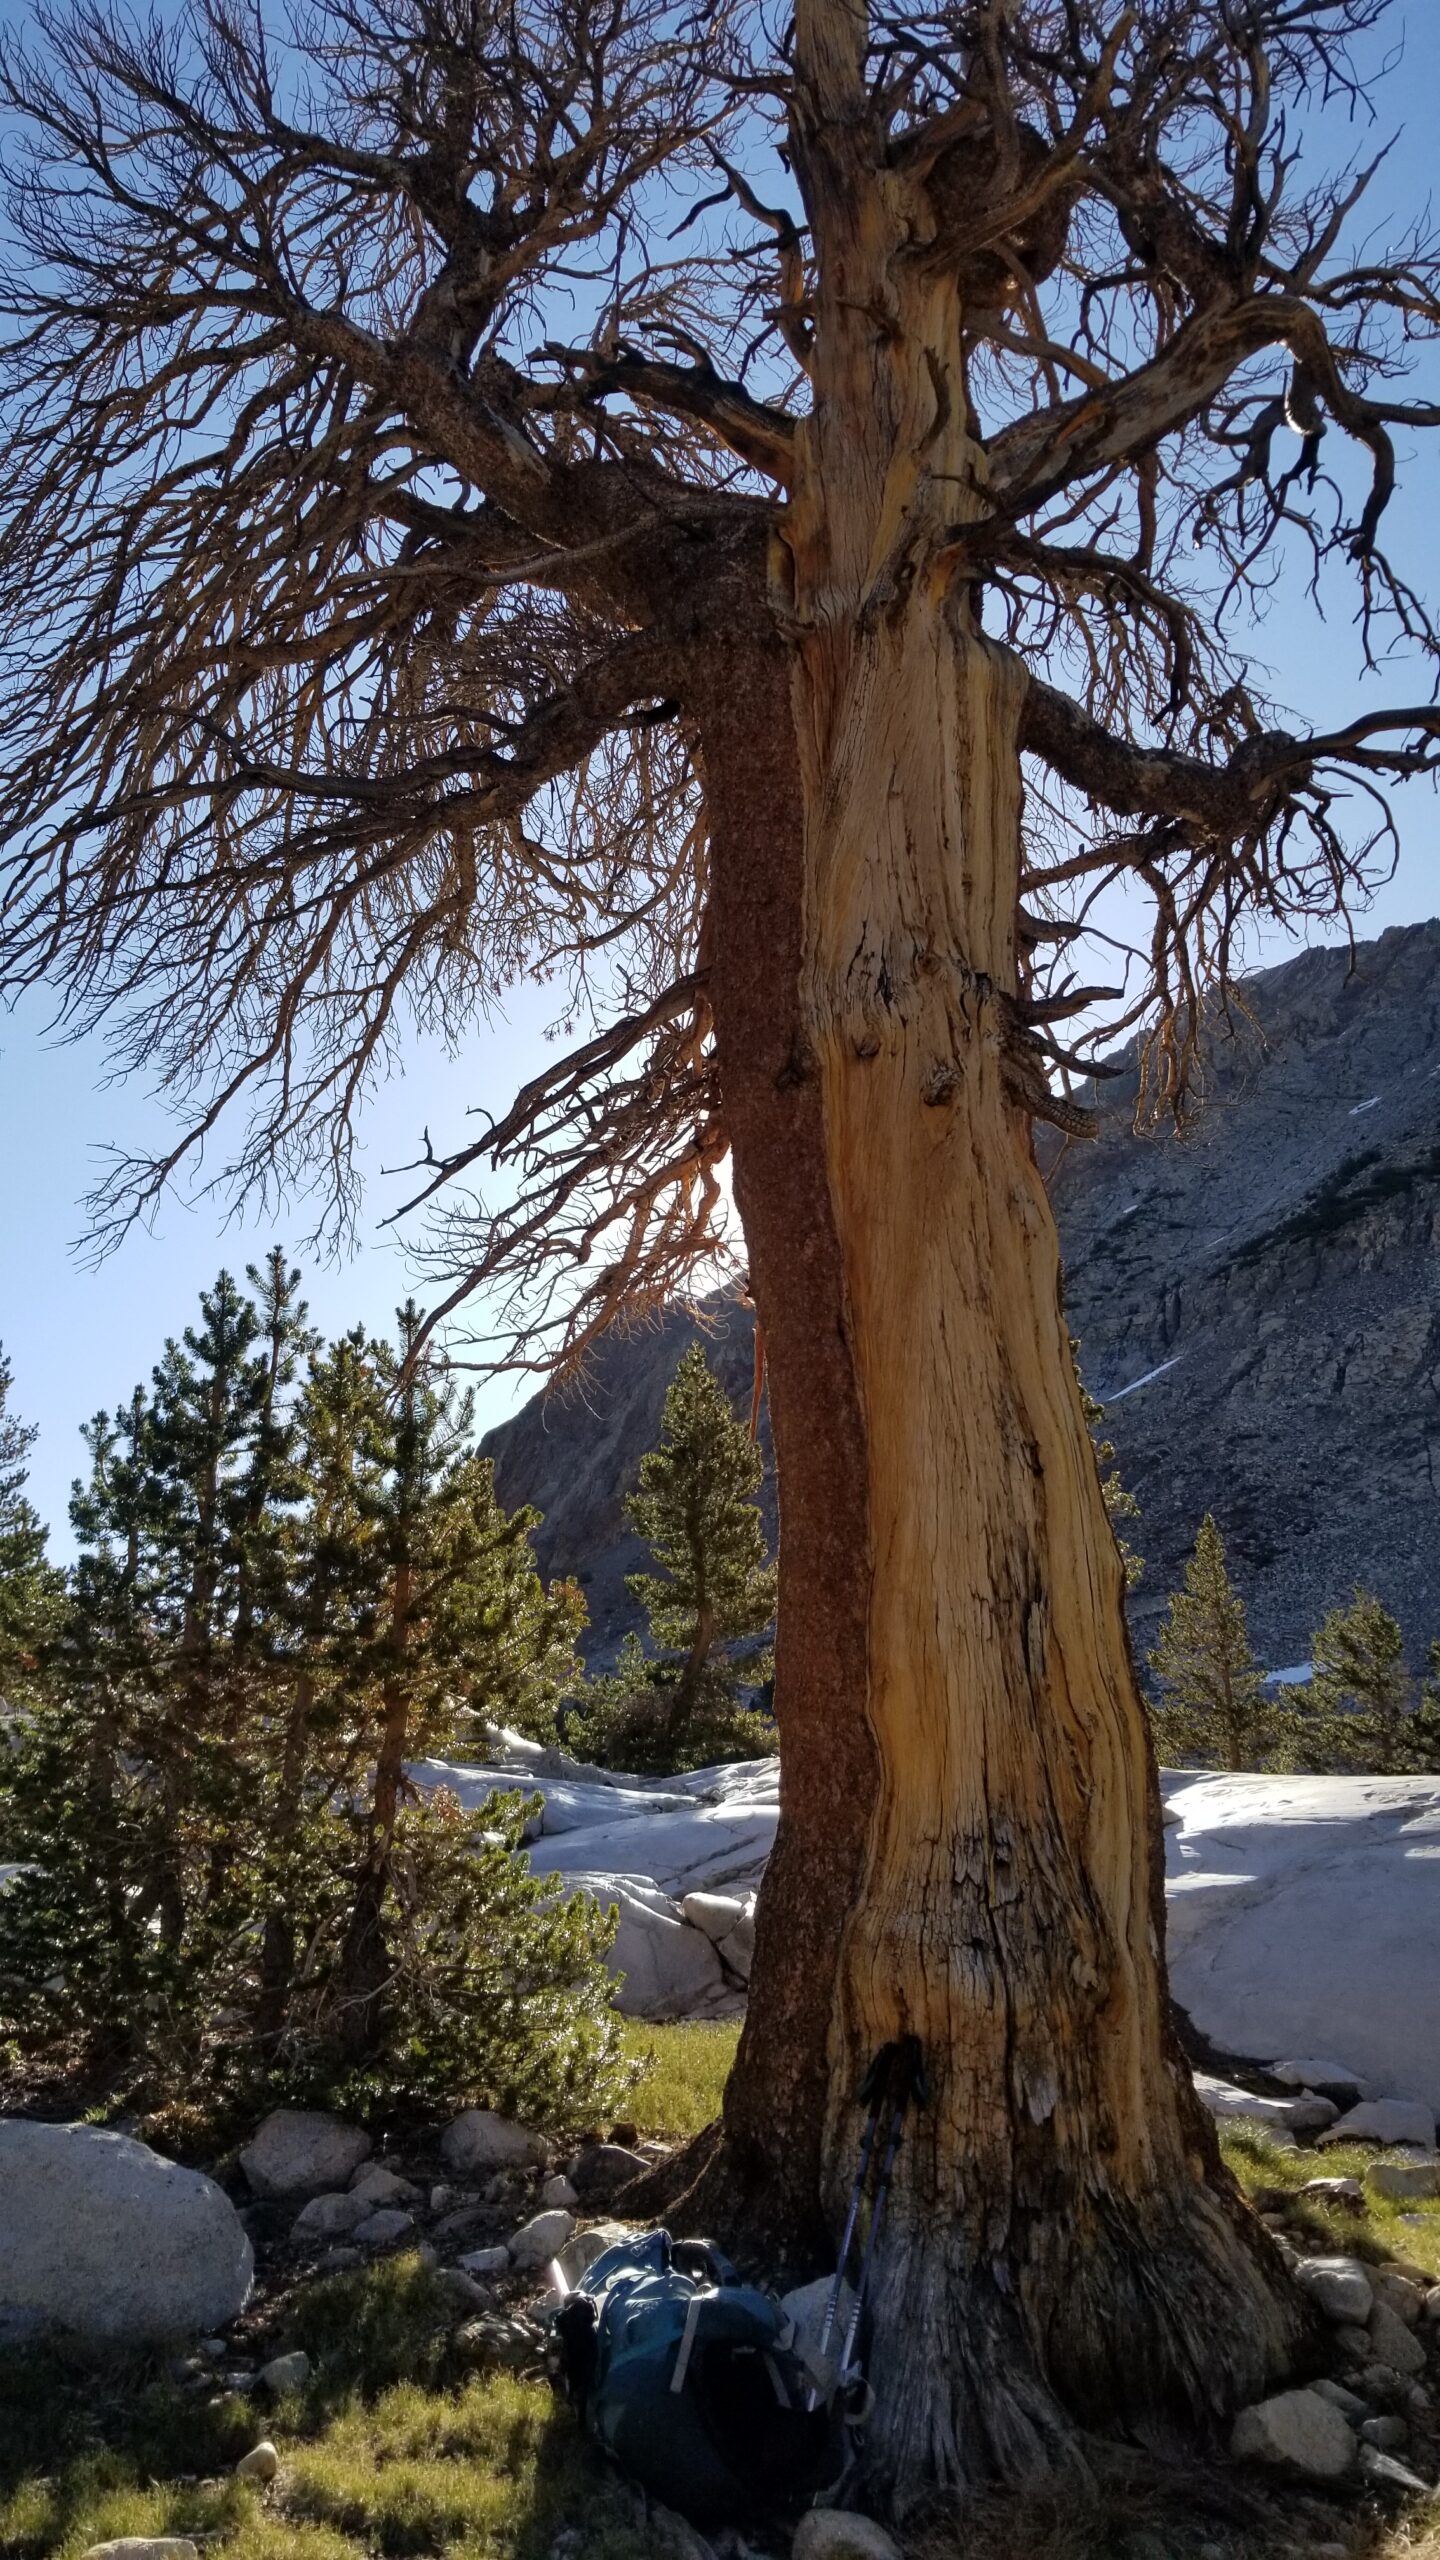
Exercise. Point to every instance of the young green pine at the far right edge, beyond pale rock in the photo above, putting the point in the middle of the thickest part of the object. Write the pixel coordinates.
(1359, 1709)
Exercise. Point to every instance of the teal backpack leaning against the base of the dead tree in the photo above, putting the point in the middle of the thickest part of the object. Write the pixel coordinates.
(685, 2377)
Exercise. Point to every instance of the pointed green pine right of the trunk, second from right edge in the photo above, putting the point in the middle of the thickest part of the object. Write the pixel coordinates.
(1213, 1696)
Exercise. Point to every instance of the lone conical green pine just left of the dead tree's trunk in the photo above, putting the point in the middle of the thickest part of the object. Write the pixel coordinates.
(714, 1591)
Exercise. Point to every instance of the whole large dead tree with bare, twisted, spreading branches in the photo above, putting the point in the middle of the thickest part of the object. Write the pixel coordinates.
(744, 518)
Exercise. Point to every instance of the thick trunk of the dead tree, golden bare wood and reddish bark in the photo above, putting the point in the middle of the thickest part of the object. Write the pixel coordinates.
(970, 1816)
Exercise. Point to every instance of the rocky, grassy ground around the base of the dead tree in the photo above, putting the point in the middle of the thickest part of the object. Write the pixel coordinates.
(378, 2395)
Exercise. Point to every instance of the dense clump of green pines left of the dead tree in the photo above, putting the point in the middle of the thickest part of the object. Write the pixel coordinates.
(291, 1576)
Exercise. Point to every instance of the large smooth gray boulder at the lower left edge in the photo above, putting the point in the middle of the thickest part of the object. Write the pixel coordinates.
(109, 2241)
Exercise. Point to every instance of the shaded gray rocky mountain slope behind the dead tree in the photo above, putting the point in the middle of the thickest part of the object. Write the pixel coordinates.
(1257, 1302)
